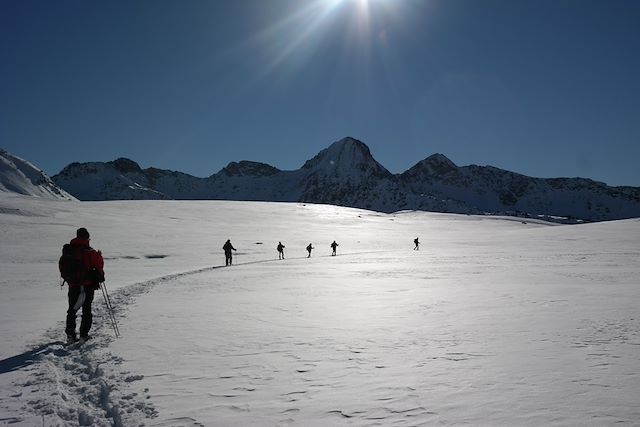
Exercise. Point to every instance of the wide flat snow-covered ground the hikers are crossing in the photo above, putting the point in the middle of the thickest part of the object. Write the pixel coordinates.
(494, 321)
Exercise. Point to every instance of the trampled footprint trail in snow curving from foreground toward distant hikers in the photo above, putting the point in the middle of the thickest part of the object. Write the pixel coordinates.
(84, 384)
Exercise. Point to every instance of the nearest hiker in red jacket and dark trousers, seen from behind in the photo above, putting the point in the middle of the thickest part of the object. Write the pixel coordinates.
(82, 288)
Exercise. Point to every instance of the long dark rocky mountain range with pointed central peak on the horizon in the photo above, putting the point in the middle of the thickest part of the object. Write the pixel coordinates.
(346, 174)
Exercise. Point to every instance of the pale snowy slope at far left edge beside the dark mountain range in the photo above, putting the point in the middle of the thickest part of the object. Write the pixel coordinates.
(19, 176)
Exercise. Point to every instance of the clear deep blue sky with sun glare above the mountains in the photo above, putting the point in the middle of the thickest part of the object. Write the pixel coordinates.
(546, 88)
